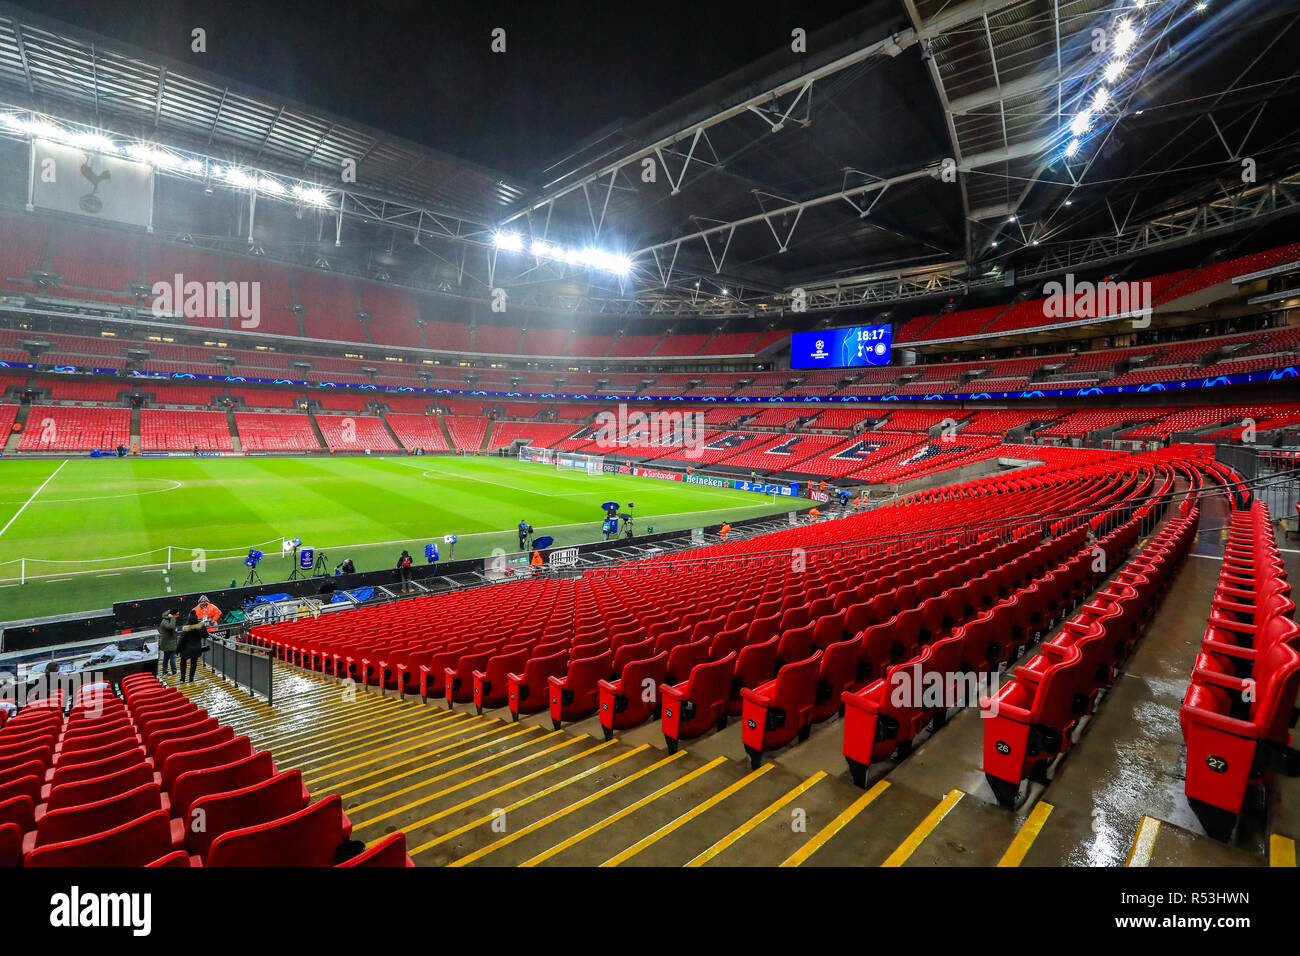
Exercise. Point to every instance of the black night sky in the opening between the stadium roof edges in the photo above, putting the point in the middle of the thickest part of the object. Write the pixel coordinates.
(424, 71)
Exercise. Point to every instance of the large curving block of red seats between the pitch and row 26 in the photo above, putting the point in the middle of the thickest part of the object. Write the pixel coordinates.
(705, 633)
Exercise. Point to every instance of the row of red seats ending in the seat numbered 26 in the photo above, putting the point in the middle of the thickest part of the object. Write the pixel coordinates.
(1033, 720)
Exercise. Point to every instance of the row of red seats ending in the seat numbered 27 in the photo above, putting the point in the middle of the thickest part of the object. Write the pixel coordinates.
(1241, 703)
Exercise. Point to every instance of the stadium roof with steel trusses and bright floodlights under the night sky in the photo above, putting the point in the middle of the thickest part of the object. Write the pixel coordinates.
(921, 149)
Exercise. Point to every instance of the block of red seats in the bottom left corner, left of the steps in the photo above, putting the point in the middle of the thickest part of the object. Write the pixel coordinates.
(150, 780)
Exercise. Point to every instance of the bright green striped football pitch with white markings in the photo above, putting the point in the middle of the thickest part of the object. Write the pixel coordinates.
(88, 533)
